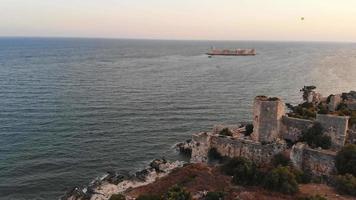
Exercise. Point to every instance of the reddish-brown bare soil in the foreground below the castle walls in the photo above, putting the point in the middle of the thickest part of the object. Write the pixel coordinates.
(201, 177)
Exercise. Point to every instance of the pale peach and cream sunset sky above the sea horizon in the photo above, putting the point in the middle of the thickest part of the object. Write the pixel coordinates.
(324, 20)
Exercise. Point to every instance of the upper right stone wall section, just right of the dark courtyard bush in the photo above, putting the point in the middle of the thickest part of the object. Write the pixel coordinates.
(336, 127)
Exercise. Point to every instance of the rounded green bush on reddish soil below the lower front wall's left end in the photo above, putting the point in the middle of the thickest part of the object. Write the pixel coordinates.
(281, 180)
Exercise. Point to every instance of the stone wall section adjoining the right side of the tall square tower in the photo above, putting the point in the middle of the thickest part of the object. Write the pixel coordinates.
(292, 128)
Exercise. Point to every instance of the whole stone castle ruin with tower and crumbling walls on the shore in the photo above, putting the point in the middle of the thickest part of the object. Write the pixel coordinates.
(276, 131)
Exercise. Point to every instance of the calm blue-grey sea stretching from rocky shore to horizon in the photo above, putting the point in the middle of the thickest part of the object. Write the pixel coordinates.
(72, 109)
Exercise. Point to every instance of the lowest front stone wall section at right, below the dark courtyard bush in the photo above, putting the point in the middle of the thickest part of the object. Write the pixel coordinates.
(318, 162)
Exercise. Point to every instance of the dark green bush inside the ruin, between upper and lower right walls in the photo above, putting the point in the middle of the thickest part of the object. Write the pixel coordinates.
(315, 138)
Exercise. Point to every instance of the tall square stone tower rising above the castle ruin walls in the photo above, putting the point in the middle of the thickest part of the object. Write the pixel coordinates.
(267, 118)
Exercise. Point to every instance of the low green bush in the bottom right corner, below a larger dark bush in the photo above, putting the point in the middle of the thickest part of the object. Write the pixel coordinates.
(346, 184)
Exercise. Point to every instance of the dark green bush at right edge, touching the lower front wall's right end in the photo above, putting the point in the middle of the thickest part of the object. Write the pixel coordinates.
(346, 160)
